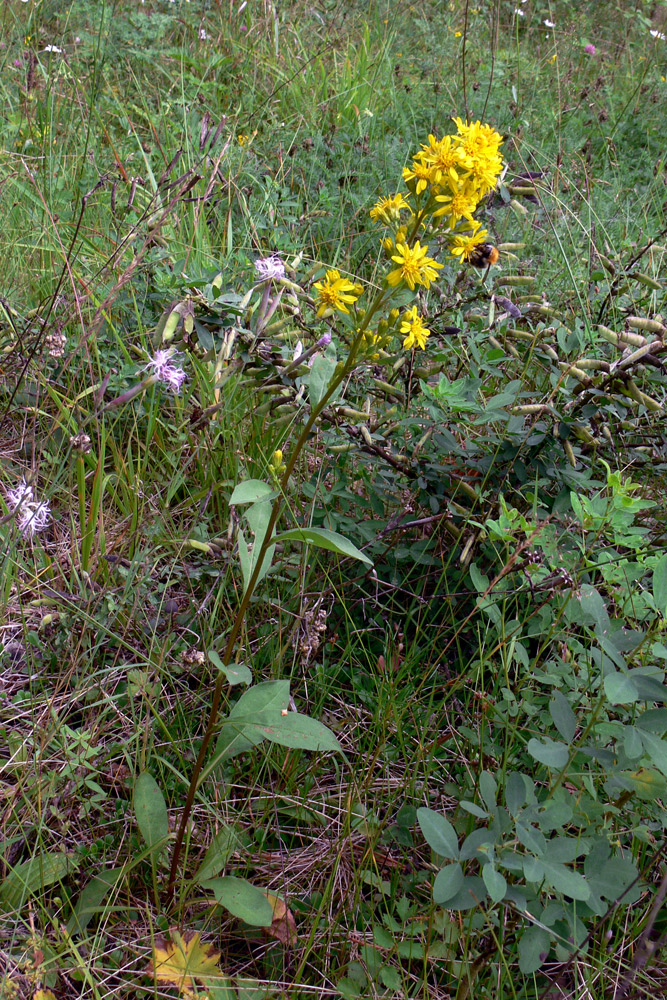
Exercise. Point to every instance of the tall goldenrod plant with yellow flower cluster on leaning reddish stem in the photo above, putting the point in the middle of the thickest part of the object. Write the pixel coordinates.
(447, 182)
